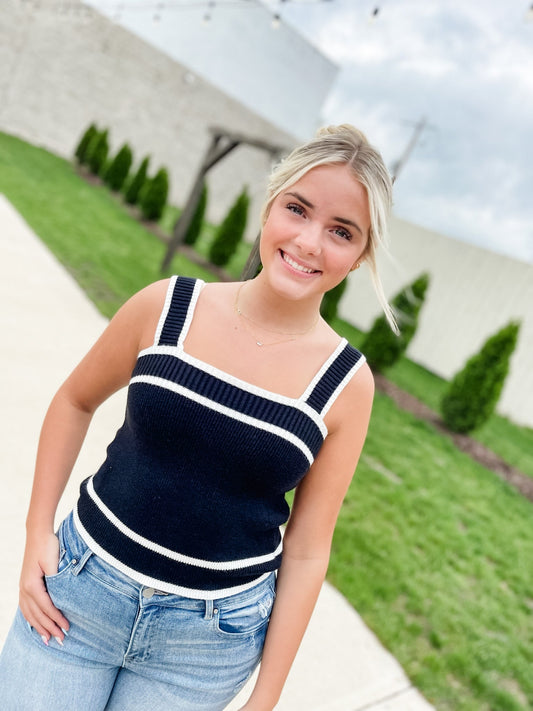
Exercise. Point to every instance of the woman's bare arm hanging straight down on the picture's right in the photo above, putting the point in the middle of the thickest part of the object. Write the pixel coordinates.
(307, 540)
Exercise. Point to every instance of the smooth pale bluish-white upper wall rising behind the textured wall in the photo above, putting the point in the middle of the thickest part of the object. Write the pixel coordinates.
(275, 72)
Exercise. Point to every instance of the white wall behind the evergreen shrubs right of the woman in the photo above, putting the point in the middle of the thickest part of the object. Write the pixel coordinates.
(473, 293)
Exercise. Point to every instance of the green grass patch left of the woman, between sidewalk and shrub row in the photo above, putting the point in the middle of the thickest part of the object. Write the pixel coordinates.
(88, 230)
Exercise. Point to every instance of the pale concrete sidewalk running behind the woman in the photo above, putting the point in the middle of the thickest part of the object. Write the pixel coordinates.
(47, 324)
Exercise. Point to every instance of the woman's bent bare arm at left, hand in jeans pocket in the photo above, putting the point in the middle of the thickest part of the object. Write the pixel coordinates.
(104, 370)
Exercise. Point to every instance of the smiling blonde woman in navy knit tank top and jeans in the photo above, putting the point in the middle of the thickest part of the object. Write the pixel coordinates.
(167, 584)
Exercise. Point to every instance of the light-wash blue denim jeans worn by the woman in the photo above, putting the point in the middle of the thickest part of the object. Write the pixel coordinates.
(130, 648)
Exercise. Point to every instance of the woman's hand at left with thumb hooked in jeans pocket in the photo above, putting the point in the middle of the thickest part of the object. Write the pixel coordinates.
(41, 558)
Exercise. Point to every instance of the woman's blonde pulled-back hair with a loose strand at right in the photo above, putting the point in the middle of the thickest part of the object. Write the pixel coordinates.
(344, 145)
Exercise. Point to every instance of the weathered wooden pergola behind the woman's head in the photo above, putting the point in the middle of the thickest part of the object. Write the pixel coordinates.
(222, 143)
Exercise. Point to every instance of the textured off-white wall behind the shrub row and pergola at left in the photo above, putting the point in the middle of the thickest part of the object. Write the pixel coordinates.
(61, 71)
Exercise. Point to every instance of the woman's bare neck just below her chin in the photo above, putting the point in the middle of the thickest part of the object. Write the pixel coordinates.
(273, 311)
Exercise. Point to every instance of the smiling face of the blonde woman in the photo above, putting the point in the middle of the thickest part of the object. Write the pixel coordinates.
(316, 232)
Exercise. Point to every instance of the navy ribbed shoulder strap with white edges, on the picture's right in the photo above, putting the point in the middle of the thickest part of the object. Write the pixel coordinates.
(334, 377)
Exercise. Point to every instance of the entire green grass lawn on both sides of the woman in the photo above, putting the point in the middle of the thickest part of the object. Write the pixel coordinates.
(431, 548)
